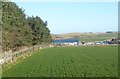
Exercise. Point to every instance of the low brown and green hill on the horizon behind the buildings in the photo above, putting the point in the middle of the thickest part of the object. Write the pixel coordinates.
(87, 37)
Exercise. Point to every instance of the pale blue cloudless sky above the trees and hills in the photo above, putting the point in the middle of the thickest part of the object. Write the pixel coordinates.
(67, 17)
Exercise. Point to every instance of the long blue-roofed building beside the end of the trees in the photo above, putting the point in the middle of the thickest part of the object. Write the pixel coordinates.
(66, 42)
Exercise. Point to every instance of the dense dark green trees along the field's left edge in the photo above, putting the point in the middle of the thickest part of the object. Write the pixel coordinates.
(19, 30)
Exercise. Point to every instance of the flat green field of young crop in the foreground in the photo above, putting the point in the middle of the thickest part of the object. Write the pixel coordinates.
(86, 61)
